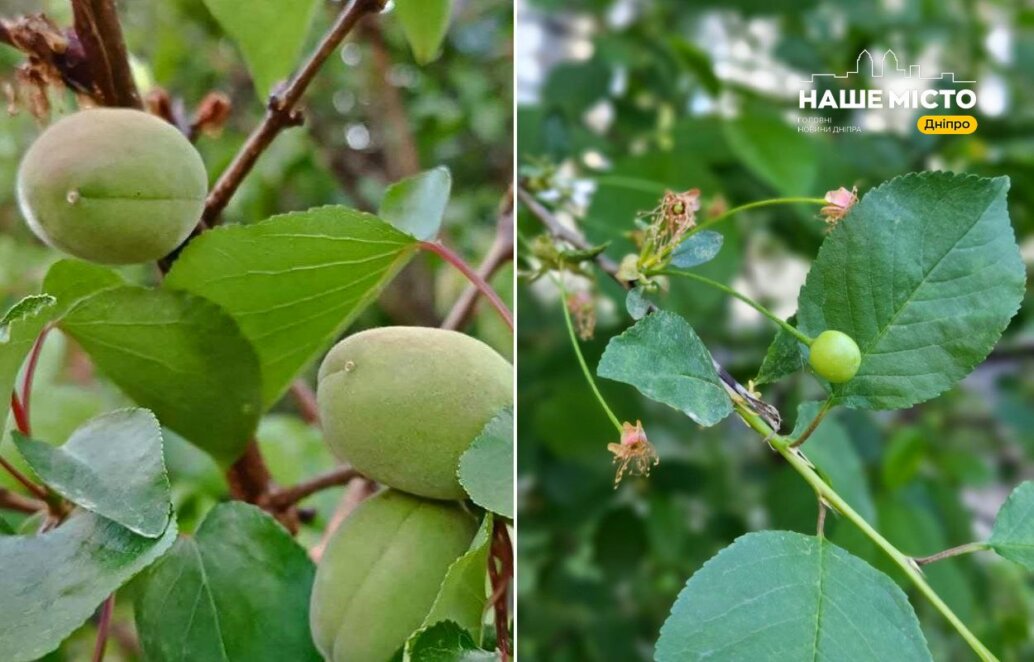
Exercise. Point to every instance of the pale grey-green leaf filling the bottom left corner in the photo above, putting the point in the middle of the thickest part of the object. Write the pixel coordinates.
(53, 583)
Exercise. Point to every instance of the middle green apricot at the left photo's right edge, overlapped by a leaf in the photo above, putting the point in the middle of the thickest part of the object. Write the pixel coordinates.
(403, 404)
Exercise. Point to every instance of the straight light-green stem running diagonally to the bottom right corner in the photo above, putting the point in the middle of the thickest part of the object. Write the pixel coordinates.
(907, 564)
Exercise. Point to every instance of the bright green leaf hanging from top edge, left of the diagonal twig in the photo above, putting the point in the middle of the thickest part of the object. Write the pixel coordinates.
(270, 36)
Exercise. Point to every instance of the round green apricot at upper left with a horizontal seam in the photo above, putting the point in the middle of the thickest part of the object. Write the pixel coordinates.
(112, 186)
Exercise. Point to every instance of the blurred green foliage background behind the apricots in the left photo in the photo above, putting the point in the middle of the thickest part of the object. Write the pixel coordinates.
(374, 116)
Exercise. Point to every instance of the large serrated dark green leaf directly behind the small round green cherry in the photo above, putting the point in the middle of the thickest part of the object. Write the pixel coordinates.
(925, 275)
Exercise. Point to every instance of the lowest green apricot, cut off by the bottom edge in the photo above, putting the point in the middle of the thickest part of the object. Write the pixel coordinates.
(381, 574)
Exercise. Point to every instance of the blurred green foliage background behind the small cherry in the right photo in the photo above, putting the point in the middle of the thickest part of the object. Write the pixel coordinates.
(619, 101)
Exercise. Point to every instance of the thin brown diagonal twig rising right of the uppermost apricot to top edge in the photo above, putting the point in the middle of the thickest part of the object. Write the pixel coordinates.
(282, 112)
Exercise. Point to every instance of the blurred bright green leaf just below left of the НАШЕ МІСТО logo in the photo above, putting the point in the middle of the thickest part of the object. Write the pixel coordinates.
(774, 152)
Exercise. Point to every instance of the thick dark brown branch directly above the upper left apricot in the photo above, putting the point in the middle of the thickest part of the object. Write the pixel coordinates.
(101, 36)
